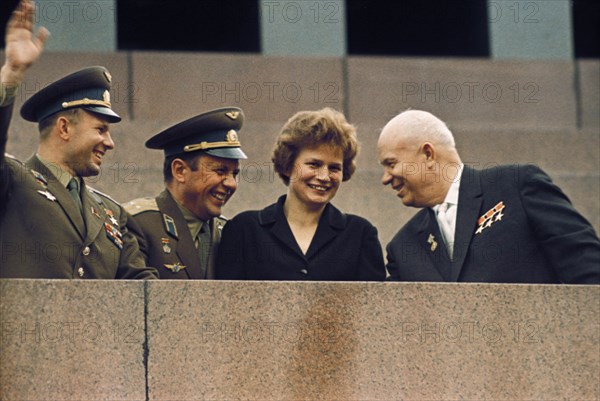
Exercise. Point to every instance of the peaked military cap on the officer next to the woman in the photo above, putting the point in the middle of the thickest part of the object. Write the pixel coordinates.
(214, 132)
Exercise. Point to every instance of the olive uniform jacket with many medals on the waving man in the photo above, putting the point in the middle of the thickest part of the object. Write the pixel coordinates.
(44, 235)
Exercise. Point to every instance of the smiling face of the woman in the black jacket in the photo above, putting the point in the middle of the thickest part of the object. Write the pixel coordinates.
(316, 175)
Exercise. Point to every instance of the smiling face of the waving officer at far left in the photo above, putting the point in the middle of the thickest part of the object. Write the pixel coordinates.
(88, 141)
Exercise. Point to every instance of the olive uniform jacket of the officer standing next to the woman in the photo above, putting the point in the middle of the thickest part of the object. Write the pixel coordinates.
(166, 241)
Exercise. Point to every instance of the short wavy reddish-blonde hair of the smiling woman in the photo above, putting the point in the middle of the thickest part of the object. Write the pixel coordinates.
(308, 129)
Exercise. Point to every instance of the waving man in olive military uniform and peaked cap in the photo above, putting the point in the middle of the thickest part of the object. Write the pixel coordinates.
(52, 225)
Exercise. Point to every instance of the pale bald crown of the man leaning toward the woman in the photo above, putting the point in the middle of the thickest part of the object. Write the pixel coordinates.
(417, 127)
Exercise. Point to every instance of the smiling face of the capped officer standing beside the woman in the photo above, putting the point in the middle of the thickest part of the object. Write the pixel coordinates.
(205, 189)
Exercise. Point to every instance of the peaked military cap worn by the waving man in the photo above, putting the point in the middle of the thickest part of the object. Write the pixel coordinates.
(87, 88)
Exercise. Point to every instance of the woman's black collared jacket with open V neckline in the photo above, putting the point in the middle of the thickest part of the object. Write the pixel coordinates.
(259, 245)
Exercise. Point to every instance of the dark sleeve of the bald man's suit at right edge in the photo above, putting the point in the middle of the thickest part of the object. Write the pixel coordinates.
(565, 236)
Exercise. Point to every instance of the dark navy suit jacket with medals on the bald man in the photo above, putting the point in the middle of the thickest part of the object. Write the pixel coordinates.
(513, 225)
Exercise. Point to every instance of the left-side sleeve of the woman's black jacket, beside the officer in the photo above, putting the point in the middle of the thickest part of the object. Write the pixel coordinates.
(230, 255)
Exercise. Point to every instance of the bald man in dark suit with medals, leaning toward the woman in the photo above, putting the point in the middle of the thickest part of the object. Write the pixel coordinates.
(506, 224)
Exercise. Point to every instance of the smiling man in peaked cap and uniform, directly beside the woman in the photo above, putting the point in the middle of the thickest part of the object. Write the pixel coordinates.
(179, 230)
